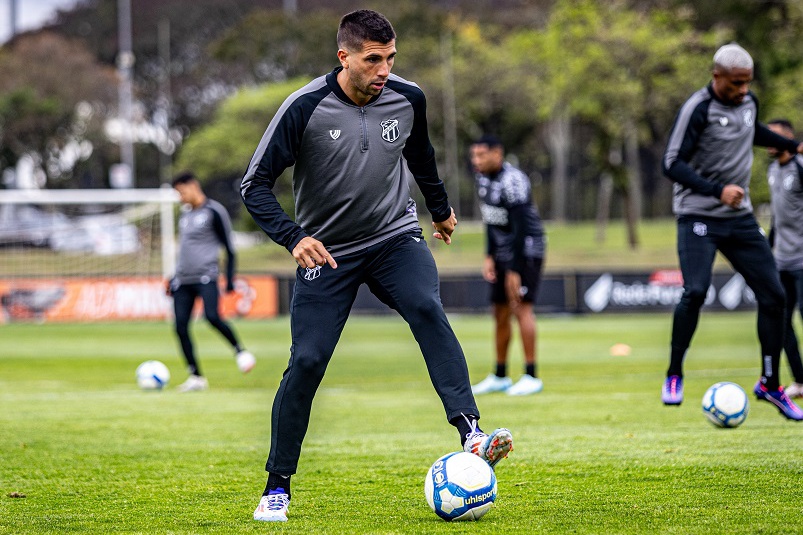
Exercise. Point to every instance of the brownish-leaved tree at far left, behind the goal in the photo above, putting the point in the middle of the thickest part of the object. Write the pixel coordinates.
(52, 112)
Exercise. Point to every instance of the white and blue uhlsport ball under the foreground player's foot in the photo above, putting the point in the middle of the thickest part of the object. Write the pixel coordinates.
(460, 486)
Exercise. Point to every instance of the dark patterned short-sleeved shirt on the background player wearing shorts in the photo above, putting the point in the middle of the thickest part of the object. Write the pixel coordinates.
(514, 231)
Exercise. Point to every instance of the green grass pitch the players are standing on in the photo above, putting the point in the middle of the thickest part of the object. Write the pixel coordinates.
(596, 452)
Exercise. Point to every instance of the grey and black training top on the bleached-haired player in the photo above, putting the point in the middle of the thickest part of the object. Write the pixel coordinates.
(711, 146)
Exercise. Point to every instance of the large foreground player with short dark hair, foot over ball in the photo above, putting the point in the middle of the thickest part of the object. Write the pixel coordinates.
(354, 136)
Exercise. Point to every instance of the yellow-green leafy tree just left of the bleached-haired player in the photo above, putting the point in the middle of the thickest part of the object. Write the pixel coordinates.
(620, 72)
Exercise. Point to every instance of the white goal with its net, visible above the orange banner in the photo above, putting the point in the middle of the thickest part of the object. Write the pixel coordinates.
(63, 228)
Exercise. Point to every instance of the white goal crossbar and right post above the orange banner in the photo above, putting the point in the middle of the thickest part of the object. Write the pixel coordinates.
(165, 197)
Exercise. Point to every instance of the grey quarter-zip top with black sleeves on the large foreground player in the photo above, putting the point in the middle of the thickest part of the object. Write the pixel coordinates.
(351, 166)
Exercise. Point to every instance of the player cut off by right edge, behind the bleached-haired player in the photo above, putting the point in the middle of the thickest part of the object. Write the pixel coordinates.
(785, 177)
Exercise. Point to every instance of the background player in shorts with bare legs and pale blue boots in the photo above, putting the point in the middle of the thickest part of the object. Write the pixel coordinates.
(514, 258)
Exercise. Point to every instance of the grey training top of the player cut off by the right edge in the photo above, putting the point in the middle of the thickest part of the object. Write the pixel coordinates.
(786, 188)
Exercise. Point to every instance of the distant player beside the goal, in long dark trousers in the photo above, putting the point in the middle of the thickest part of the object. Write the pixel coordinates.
(203, 228)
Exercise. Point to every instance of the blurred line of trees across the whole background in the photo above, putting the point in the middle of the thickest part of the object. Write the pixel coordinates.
(583, 93)
